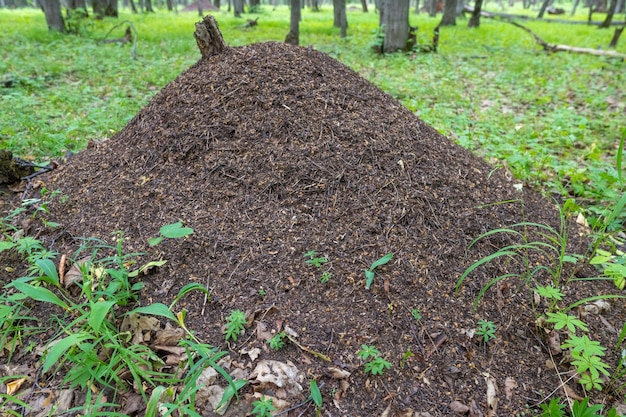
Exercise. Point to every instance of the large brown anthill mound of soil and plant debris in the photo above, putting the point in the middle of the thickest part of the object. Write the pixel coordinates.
(269, 151)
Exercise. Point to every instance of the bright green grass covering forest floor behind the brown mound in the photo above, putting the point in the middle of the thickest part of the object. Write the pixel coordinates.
(553, 120)
